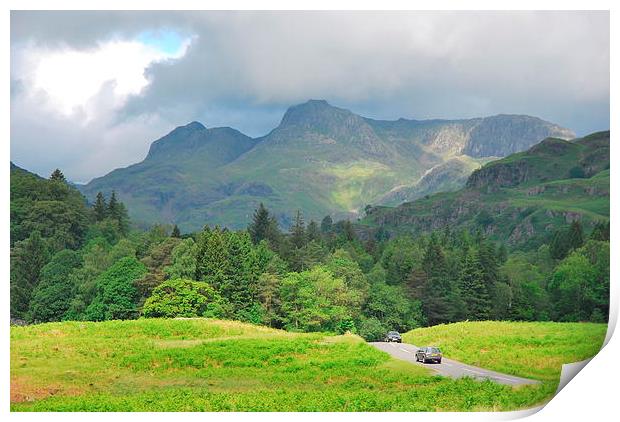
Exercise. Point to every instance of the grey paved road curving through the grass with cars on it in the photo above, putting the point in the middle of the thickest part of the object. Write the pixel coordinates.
(449, 367)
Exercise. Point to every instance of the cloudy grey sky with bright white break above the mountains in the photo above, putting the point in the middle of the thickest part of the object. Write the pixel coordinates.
(91, 90)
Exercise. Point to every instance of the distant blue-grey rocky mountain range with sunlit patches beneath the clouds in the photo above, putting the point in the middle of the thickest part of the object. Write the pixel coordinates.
(320, 159)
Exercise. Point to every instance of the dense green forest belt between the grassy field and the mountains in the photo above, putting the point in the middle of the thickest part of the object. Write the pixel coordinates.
(76, 261)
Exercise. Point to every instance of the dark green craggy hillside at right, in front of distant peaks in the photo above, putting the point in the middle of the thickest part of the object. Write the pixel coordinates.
(521, 199)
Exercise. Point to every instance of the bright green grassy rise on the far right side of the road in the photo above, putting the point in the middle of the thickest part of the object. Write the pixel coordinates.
(529, 349)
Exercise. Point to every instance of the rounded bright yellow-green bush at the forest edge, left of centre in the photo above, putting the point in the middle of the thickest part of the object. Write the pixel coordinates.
(184, 298)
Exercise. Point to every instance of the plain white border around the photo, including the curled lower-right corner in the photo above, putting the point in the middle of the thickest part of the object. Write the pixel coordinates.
(591, 394)
